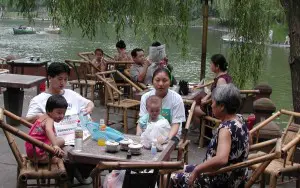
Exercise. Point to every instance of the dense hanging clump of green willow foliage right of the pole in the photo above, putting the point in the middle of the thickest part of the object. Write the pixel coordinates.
(251, 21)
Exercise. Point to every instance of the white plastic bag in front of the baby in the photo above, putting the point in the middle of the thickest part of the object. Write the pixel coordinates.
(154, 130)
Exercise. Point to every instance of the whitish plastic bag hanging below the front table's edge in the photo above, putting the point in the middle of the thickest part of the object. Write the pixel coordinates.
(114, 179)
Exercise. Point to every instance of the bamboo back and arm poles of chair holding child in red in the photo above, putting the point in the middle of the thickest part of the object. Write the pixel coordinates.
(10, 130)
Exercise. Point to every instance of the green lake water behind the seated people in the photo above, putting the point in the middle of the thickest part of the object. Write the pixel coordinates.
(59, 47)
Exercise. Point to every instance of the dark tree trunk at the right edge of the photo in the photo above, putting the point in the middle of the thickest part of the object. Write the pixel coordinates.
(292, 8)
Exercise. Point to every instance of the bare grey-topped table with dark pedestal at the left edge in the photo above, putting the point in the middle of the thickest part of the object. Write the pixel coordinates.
(14, 94)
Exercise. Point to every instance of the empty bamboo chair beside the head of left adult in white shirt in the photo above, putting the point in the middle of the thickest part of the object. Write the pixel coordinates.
(83, 71)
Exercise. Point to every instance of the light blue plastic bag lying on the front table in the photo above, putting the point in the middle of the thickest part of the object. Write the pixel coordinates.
(108, 134)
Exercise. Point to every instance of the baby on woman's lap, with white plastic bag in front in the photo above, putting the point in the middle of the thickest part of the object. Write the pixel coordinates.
(153, 124)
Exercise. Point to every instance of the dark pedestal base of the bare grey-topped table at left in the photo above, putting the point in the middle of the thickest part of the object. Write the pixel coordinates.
(13, 102)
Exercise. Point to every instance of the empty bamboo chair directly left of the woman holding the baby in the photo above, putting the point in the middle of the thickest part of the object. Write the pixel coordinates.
(115, 94)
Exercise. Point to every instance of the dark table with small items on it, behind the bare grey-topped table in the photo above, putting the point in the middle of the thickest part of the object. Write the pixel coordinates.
(26, 62)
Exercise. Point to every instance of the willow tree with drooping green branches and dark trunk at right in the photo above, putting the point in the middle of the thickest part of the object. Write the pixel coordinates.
(248, 19)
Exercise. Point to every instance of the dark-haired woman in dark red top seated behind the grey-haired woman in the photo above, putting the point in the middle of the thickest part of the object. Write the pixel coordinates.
(218, 66)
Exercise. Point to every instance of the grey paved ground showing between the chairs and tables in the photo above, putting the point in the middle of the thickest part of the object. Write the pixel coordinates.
(9, 166)
